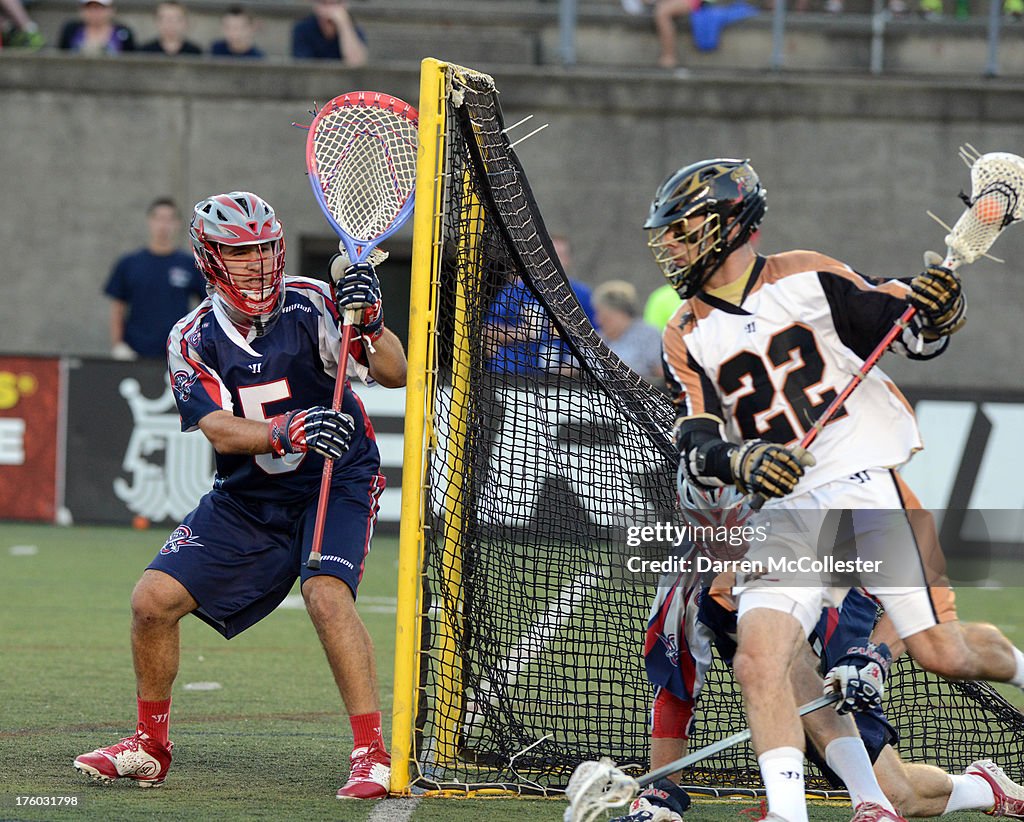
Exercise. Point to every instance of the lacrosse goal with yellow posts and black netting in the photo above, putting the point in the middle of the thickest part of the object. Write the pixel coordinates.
(538, 452)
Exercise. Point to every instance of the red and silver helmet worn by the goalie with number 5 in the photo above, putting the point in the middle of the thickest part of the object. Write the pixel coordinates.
(239, 220)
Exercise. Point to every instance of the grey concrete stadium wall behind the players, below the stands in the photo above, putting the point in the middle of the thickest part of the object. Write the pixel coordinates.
(851, 166)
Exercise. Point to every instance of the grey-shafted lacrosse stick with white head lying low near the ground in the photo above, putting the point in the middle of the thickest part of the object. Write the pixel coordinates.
(598, 787)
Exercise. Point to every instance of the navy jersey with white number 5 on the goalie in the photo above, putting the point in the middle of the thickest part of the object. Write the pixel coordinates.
(293, 366)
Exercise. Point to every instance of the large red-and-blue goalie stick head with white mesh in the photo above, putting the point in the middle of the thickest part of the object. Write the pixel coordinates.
(361, 155)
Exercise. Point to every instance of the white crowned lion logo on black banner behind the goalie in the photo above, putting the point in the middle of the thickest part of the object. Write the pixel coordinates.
(167, 489)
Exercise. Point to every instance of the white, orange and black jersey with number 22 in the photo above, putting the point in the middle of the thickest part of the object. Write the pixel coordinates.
(770, 367)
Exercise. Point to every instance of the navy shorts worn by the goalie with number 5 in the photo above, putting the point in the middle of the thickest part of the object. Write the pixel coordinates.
(240, 558)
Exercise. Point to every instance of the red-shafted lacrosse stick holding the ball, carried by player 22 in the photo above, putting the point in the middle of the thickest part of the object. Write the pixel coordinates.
(997, 201)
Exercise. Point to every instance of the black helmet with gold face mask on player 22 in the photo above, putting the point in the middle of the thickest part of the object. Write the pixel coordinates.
(729, 194)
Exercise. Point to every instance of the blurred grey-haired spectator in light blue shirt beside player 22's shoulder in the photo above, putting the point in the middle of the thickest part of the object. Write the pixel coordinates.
(619, 323)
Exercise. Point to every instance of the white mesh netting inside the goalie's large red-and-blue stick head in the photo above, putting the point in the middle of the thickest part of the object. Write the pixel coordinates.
(366, 164)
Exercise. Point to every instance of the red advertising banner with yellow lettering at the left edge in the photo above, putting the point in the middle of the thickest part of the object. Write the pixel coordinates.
(30, 435)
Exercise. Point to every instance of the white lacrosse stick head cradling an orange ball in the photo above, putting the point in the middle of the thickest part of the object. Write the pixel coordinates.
(997, 201)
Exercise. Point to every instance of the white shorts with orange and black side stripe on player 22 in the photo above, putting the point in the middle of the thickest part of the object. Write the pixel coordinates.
(867, 531)
